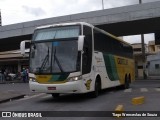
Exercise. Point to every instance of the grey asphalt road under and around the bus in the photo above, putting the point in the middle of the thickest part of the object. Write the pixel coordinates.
(107, 101)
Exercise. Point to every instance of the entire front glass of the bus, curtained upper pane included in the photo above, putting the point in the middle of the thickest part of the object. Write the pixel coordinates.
(55, 50)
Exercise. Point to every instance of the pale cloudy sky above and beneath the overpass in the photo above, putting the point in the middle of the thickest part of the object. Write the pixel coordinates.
(17, 11)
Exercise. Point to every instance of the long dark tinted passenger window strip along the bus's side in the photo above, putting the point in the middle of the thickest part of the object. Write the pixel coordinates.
(109, 45)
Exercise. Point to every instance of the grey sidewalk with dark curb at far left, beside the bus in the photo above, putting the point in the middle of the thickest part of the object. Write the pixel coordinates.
(10, 90)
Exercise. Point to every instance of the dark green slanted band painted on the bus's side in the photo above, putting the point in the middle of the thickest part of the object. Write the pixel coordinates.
(111, 67)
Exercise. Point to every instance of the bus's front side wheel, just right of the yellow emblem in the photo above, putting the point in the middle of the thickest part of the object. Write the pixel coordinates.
(97, 89)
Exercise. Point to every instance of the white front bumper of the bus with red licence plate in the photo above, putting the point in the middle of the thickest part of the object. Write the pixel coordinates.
(68, 87)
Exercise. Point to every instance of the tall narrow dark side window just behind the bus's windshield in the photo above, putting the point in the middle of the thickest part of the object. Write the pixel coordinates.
(87, 48)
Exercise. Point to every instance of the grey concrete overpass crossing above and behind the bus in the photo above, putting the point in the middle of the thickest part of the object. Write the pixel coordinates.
(121, 21)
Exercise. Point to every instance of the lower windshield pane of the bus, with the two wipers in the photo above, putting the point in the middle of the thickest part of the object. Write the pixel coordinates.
(54, 57)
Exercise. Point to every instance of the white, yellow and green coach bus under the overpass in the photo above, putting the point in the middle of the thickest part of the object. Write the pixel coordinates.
(78, 58)
